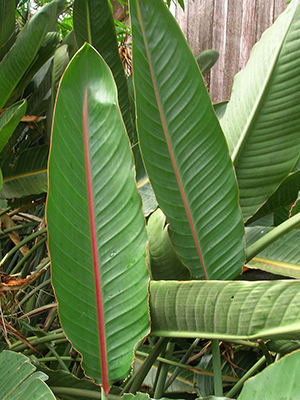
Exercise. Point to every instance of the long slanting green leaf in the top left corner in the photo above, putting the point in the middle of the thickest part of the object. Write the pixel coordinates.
(23, 52)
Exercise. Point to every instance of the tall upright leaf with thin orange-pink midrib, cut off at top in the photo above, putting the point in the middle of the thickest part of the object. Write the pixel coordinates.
(183, 147)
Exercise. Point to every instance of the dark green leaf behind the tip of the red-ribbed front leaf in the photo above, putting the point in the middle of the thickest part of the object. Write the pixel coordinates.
(94, 24)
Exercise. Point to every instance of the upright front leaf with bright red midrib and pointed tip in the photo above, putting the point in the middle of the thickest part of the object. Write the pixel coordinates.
(97, 233)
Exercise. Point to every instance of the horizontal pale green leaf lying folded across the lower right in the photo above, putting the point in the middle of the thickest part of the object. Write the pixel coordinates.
(226, 310)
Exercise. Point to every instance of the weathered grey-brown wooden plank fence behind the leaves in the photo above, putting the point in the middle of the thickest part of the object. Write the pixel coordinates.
(231, 27)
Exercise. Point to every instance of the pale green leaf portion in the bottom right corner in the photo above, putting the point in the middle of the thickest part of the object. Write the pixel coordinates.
(270, 384)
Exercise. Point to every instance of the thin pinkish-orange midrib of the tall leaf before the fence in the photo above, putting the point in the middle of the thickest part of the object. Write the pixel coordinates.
(170, 148)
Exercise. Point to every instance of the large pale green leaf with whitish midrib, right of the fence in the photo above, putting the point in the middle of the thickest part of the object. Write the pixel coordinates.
(262, 119)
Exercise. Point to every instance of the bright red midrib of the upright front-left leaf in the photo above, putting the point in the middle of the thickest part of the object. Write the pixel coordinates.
(100, 315)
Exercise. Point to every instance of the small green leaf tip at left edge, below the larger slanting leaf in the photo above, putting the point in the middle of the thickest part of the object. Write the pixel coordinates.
(9, 121)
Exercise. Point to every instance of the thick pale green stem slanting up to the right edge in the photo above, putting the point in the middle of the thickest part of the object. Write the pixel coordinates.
(271, 236)
